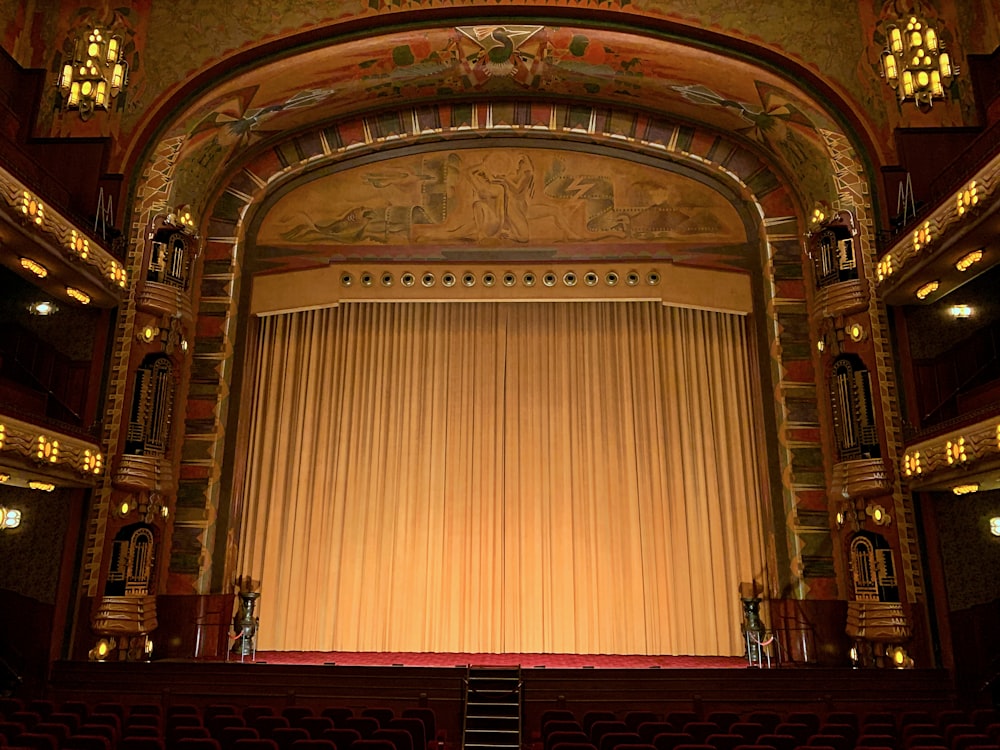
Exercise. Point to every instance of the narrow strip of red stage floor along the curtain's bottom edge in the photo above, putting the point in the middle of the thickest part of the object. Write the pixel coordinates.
(527, 661)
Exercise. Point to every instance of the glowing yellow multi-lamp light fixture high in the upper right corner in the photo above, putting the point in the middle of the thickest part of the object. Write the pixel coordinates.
(915, 63)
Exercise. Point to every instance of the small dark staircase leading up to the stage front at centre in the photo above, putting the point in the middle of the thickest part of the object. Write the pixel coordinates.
(493, 708)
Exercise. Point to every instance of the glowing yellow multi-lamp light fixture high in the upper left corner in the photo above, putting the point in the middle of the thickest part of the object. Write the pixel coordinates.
(95, 75)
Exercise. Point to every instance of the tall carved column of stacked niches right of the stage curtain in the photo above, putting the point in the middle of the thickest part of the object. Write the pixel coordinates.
(861, 482)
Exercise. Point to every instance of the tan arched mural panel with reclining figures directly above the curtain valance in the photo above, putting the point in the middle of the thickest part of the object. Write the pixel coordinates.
(500, 201)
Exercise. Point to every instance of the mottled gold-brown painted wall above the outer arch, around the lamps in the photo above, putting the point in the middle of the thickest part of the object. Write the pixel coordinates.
(175, 41)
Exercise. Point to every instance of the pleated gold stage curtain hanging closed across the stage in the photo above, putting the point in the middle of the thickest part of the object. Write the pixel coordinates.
(576, 477)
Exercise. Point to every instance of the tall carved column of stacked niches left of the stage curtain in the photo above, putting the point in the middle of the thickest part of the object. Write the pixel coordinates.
(143, 492)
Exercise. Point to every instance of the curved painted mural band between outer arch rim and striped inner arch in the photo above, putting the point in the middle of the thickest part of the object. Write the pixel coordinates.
(503, 60)
